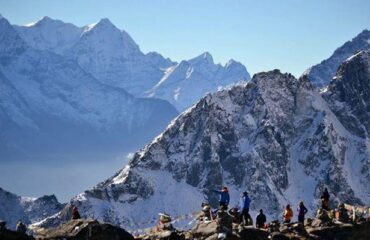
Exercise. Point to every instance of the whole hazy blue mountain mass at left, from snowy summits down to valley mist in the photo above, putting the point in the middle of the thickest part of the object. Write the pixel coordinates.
(69, 89)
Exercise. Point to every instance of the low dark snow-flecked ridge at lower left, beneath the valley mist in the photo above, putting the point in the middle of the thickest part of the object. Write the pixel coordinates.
(29, 210)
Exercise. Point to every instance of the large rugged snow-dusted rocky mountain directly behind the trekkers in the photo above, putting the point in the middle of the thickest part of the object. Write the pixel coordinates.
(275, 137)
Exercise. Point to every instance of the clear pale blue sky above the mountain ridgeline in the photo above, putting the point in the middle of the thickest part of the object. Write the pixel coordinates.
(266, 34)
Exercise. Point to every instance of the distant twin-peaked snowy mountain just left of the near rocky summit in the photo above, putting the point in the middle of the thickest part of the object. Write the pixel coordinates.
(189, 80)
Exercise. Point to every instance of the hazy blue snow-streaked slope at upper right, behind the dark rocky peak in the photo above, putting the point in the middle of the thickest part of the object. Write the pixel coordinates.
(321, 74)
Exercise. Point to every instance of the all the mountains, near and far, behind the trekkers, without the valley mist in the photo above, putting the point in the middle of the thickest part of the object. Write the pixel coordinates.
(90, 89)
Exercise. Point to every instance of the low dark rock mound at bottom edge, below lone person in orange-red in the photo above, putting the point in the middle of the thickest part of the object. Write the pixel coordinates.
(84, 229)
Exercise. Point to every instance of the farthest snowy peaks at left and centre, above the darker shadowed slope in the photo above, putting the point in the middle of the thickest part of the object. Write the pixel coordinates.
(113, 57)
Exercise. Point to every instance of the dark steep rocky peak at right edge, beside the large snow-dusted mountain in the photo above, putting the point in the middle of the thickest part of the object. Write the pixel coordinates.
(349, 94)
